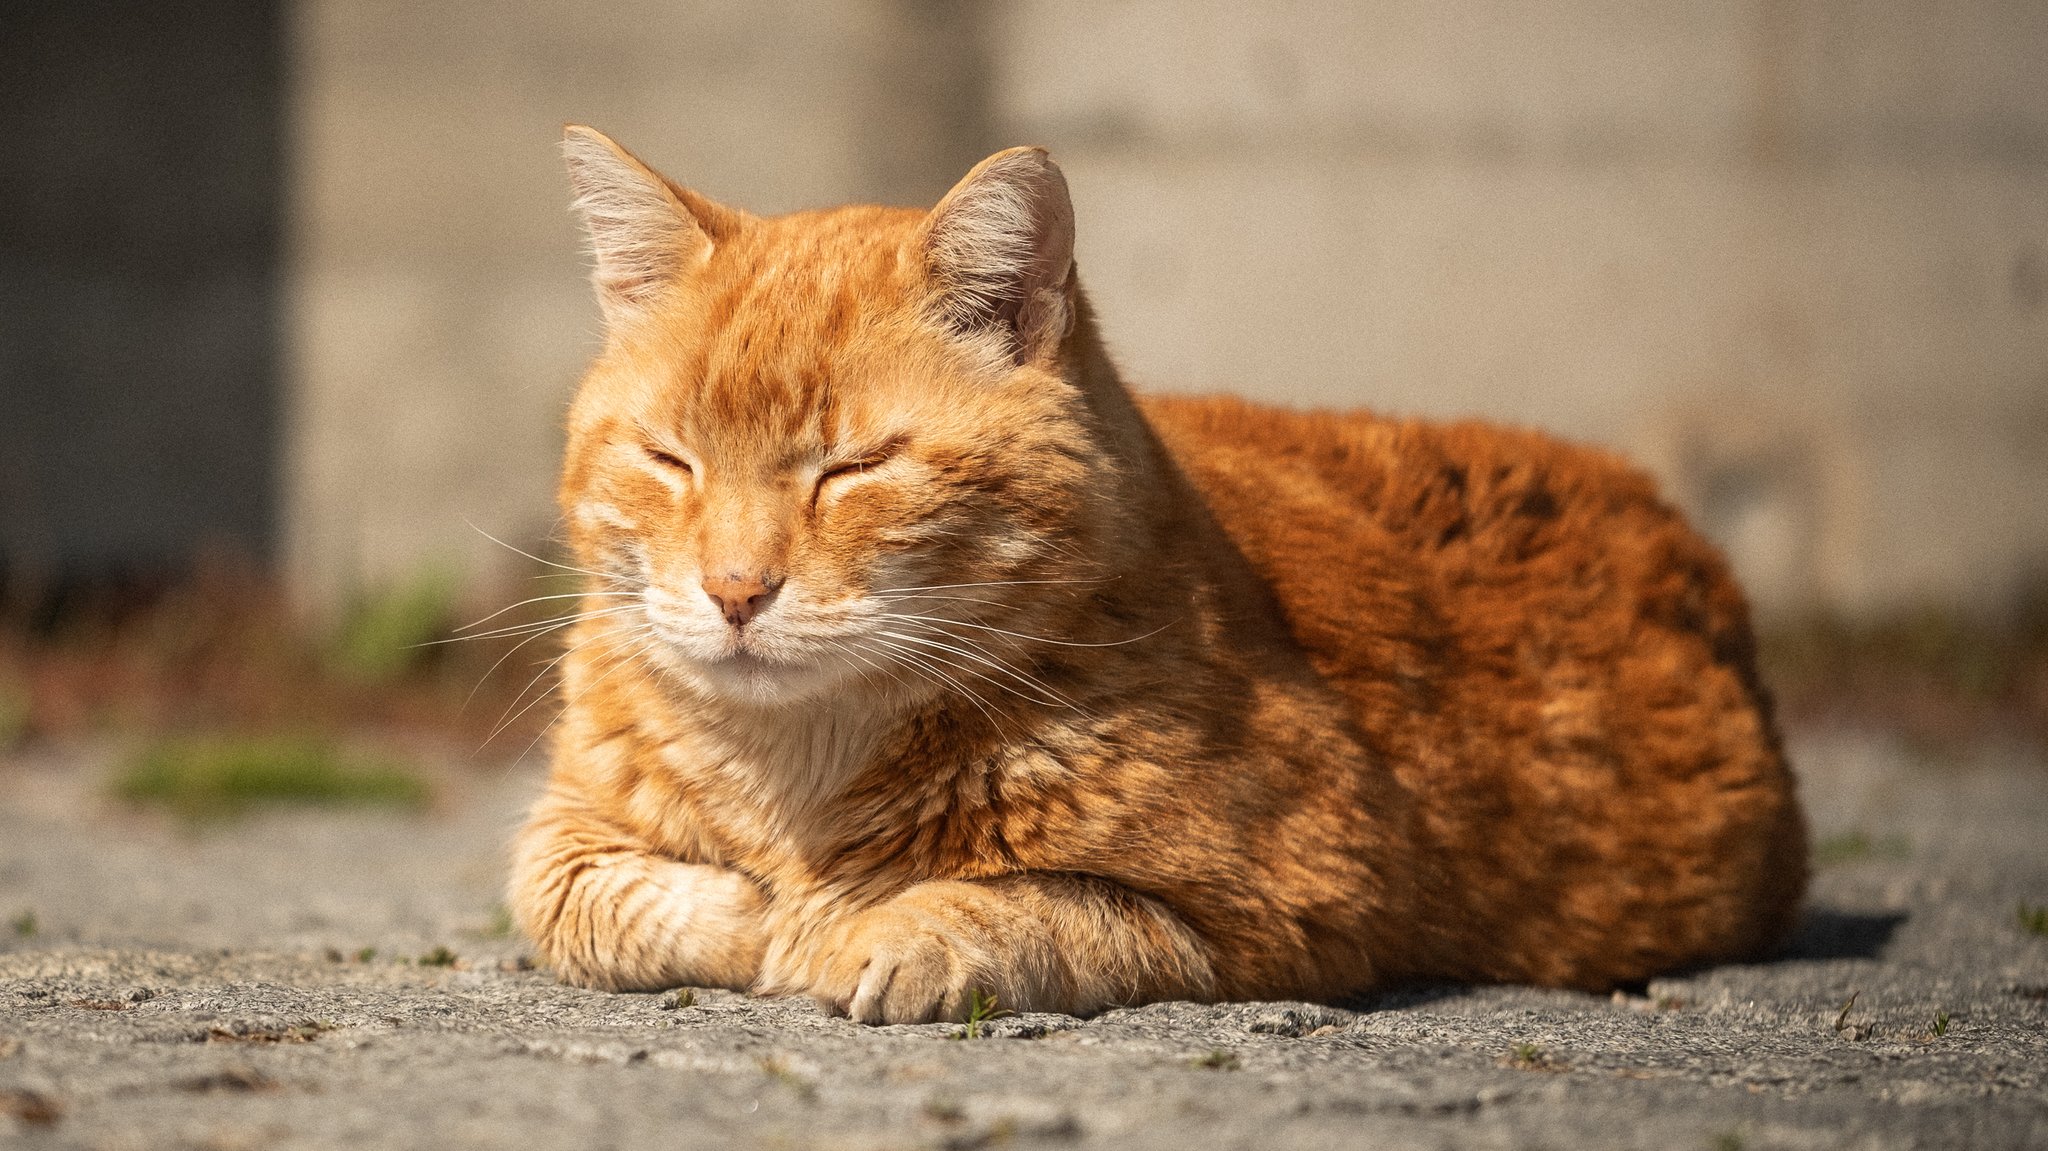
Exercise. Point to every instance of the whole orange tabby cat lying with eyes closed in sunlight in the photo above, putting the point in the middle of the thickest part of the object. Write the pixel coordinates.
(921, 660)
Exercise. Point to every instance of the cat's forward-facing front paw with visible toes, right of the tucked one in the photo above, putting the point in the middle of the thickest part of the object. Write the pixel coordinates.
(902, 964)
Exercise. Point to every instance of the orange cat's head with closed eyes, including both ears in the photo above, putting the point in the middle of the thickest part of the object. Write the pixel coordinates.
(835, 452)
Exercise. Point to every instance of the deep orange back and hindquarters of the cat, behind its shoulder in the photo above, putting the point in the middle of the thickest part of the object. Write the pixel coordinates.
(1537, 644)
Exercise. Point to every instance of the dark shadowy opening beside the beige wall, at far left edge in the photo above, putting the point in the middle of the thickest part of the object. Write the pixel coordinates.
(140, 230)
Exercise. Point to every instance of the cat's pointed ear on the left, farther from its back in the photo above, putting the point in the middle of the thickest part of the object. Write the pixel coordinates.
(646, 232)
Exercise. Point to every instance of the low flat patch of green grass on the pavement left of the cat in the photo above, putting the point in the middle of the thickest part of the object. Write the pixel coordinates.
(224, 777)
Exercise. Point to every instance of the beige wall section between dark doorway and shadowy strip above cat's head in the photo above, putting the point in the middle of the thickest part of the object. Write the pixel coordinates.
(439, 310)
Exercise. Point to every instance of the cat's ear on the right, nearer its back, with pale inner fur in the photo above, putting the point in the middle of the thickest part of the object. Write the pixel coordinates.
(1000, 253)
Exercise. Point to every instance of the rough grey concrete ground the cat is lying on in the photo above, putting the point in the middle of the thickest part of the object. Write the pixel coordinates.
(259, 986)
